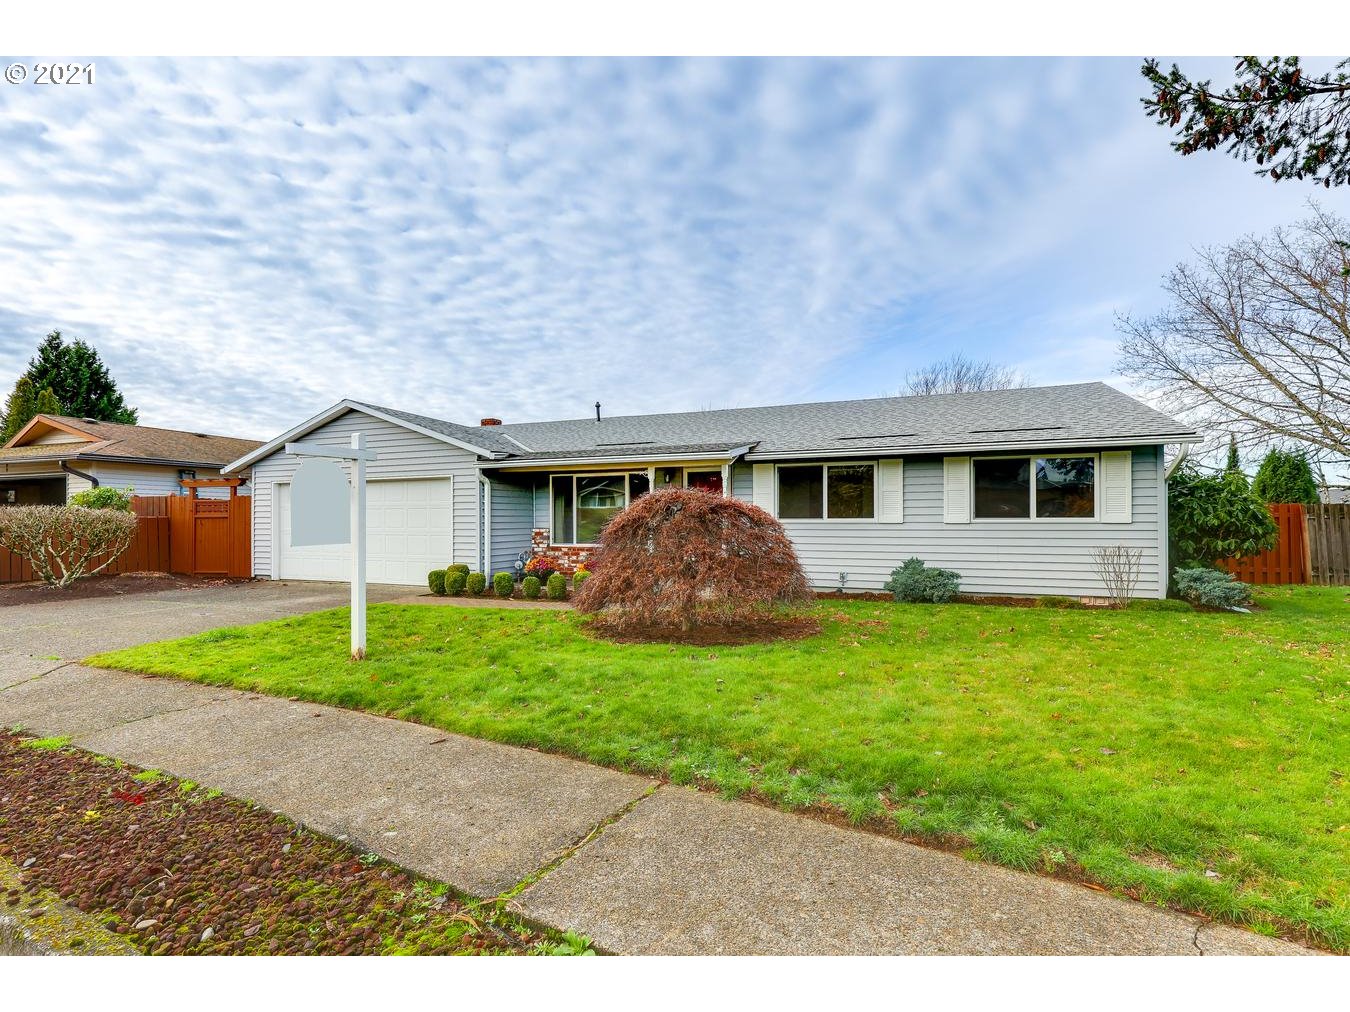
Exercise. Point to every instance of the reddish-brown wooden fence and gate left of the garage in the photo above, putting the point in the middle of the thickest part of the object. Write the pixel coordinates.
(175, 534)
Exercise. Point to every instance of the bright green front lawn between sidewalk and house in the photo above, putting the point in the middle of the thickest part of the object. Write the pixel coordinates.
(1193, 759)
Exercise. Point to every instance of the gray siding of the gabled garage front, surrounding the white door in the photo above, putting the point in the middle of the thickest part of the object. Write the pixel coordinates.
(403, 454)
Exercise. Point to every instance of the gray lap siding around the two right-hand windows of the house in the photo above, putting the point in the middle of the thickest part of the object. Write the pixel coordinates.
(1016, 558)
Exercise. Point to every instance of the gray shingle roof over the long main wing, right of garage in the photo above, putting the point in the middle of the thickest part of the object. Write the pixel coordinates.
(1075, 415)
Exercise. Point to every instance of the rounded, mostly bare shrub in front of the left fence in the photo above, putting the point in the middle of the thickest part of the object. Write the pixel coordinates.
(64, 543)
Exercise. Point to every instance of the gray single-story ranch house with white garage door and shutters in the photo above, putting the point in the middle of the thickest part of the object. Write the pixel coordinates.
(1012, 489)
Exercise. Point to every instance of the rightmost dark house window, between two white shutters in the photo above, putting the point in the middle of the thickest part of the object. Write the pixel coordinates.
(1063, 488)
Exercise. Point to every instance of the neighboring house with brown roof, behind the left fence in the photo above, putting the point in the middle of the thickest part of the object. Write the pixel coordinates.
(55, 457)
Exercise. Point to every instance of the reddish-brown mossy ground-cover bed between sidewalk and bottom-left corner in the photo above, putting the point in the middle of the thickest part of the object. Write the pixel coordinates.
(180, 870)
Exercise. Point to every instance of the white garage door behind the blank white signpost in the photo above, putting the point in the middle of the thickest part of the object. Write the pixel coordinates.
(407, 536)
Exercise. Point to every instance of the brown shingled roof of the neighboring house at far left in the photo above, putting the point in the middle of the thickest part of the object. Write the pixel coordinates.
(103, 441)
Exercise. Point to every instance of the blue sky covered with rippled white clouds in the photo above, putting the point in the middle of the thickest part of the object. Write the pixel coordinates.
(248, 242)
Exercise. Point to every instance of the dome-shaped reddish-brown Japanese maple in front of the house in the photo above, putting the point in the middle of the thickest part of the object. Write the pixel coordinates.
(682, 558)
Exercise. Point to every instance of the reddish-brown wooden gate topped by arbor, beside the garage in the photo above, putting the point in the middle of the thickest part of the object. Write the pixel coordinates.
(211, 538)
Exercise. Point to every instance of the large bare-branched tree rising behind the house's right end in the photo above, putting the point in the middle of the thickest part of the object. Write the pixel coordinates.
(1258, 339)
